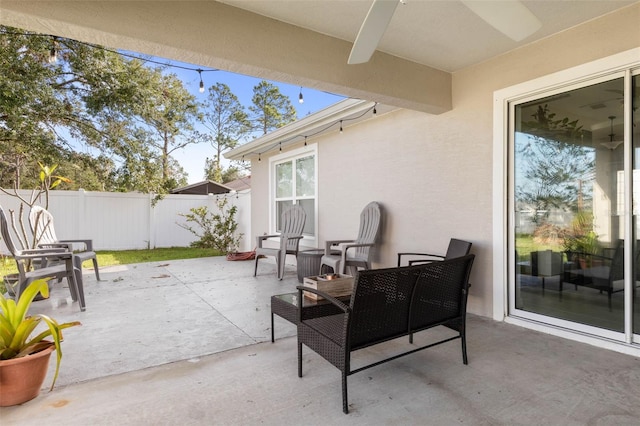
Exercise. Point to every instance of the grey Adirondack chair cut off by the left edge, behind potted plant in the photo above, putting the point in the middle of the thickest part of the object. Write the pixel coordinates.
(55, 263)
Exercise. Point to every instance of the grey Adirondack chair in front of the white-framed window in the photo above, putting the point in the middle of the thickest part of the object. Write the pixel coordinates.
(293, 220)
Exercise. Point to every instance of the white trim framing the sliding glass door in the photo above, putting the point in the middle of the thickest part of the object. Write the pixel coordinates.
(501, 100)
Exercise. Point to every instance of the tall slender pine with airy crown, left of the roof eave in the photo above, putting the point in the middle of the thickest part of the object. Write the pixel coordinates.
(227, 121)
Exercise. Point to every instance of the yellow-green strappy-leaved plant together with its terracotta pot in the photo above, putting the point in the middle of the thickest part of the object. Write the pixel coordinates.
(24, 360)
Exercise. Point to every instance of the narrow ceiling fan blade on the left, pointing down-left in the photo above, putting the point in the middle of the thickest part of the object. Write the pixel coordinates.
(372, 30)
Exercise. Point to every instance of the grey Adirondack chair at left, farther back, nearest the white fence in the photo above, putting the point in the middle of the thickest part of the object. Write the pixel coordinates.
(41, 222)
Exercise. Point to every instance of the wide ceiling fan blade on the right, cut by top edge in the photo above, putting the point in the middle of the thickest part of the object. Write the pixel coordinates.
(511, 18)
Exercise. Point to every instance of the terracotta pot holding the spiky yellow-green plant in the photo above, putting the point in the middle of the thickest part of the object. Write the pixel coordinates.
(21, 378)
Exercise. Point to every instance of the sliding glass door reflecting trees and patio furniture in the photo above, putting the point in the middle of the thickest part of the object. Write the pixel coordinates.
(573, 236)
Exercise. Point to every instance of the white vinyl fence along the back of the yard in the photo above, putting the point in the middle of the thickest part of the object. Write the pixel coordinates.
(124, 221)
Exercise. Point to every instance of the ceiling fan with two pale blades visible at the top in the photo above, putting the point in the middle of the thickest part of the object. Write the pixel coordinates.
(512, 18)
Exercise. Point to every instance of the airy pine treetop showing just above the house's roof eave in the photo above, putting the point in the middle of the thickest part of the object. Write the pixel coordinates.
(271, 109)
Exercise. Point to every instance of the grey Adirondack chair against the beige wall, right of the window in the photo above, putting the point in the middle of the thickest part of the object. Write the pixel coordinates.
(340, 254)
